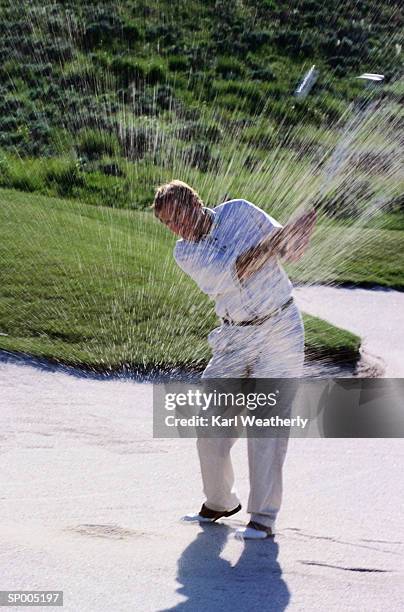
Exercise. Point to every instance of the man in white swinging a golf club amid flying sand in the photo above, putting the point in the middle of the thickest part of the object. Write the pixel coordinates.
(232, 252)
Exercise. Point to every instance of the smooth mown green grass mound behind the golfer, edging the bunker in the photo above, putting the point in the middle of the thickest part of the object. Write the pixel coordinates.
(98, 287)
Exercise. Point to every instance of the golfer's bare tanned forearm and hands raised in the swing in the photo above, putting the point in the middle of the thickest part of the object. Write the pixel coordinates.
(289, 242)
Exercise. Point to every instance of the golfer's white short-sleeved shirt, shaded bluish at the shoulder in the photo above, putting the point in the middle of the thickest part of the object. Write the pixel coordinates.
(237, 226)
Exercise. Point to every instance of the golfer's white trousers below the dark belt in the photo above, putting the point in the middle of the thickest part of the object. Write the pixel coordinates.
(274, 349)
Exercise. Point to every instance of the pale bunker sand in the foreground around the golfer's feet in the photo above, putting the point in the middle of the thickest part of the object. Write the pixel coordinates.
(90, 504)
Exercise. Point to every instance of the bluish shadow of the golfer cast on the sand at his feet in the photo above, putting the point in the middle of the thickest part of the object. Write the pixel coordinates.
(210, 582)
